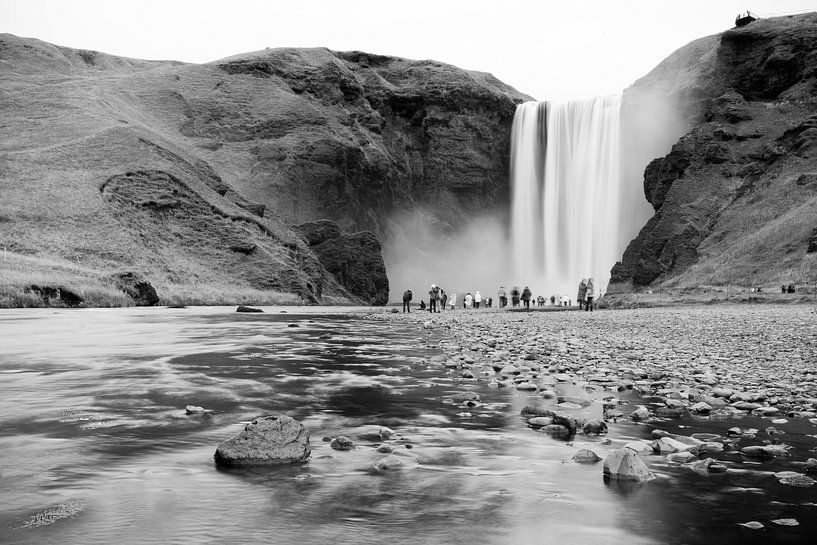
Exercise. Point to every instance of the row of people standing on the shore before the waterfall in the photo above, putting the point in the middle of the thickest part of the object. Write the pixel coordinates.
(439, 300)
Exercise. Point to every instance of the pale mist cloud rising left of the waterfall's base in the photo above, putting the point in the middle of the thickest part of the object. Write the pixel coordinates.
(421, 250)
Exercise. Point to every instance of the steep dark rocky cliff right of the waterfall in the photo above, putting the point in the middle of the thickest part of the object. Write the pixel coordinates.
(735, 199)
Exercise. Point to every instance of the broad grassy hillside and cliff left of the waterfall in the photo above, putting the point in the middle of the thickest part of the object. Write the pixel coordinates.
(194, 174)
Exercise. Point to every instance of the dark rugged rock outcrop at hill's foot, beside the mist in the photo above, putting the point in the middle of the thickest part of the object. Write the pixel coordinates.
(355, 260)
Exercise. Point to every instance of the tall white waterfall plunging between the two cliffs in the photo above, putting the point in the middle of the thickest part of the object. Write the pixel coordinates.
(566, 210)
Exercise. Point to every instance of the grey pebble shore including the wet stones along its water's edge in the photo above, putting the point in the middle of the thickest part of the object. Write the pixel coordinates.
(652, 367)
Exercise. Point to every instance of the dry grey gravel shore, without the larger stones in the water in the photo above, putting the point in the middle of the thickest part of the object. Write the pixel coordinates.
(758, 359)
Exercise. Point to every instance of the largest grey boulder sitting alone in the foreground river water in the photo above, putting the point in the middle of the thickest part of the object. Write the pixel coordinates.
(265, 441)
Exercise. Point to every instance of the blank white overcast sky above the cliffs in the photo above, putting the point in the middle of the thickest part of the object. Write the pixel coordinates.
(549, 50)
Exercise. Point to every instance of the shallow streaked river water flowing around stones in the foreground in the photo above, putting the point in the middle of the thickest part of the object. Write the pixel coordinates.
(95, 445)
